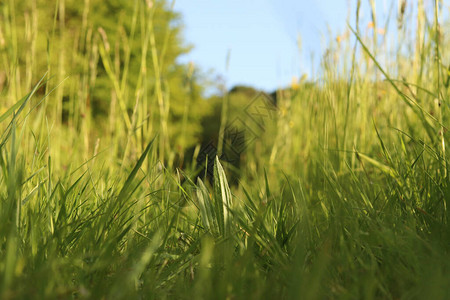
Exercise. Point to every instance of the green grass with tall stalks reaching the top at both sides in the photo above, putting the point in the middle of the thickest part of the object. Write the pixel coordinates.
(342, 194)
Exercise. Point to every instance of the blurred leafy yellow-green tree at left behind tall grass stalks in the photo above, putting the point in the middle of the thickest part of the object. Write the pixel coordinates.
(121, 63)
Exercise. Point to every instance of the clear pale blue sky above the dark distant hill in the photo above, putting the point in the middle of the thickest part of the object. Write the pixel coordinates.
(262, 36)
